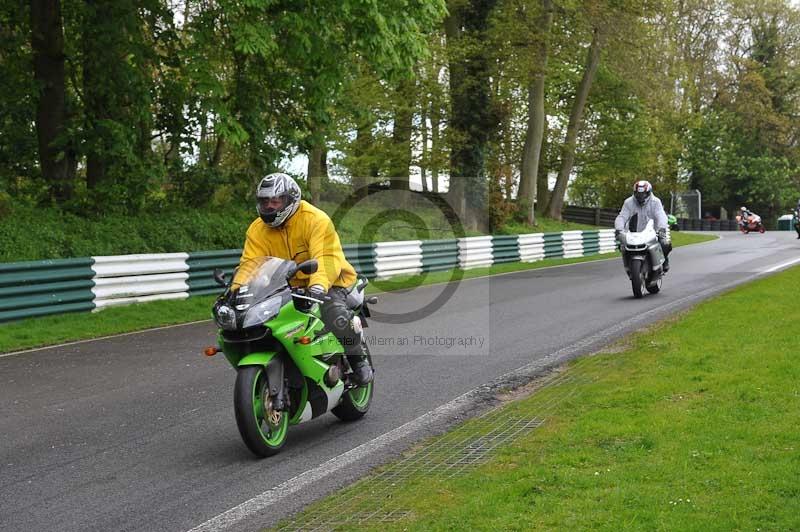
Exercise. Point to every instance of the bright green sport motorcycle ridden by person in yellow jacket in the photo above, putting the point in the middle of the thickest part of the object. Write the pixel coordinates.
(290, 368)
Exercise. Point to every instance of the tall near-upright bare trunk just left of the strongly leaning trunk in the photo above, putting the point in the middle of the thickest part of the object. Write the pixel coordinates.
(529, 170)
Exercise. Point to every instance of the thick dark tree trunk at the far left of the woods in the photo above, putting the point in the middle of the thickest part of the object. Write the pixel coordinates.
(47, 41)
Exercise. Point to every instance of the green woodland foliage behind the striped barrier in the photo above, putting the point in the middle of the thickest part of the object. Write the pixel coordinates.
(167, 110)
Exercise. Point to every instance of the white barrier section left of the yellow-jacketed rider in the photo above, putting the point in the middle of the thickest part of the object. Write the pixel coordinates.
(123, 279)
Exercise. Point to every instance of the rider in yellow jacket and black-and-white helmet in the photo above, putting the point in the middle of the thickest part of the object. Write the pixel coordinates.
(293, 229)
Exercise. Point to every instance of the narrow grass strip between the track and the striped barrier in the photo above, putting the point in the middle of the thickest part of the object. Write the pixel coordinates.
(49, 330)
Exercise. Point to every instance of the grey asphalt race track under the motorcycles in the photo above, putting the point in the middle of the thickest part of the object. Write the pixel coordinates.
(137, 432)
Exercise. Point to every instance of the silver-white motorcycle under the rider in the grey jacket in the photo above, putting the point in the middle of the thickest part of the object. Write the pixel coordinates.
(643, 259)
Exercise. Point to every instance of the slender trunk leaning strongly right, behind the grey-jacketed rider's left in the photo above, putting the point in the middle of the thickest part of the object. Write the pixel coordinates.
(575, 119)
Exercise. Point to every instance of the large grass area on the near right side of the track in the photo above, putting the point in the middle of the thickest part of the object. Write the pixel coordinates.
(676, 428)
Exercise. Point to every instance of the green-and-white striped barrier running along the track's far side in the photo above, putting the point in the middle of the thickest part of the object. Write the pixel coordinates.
(39, 288)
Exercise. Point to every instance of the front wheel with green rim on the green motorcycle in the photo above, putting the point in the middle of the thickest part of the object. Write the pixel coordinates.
(262, 428)
